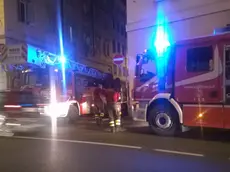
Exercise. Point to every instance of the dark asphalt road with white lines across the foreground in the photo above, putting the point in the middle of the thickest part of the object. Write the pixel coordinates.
(83, 147)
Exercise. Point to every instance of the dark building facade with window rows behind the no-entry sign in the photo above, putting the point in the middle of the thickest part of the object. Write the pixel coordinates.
(94, 34)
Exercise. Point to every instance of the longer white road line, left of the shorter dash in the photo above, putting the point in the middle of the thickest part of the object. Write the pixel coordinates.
(79, 141)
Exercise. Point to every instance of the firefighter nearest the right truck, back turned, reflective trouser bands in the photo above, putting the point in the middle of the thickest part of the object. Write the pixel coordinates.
(113, 108)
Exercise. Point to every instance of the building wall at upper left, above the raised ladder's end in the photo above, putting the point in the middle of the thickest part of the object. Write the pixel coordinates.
(39, 29)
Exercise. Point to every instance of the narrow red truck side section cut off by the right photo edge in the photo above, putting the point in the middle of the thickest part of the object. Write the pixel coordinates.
(226, 86)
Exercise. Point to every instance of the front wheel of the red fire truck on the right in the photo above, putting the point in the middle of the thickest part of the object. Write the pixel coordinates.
(163, 120)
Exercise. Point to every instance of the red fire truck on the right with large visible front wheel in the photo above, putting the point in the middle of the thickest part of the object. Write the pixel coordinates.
(188, 86)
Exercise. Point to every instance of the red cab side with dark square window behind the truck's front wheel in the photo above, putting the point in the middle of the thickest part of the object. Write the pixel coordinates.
(198, 85)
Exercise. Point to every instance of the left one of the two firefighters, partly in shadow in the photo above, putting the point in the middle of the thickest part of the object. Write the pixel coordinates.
(99, 103)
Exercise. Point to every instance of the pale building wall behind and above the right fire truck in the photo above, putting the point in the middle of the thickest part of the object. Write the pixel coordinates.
(186, 19)
